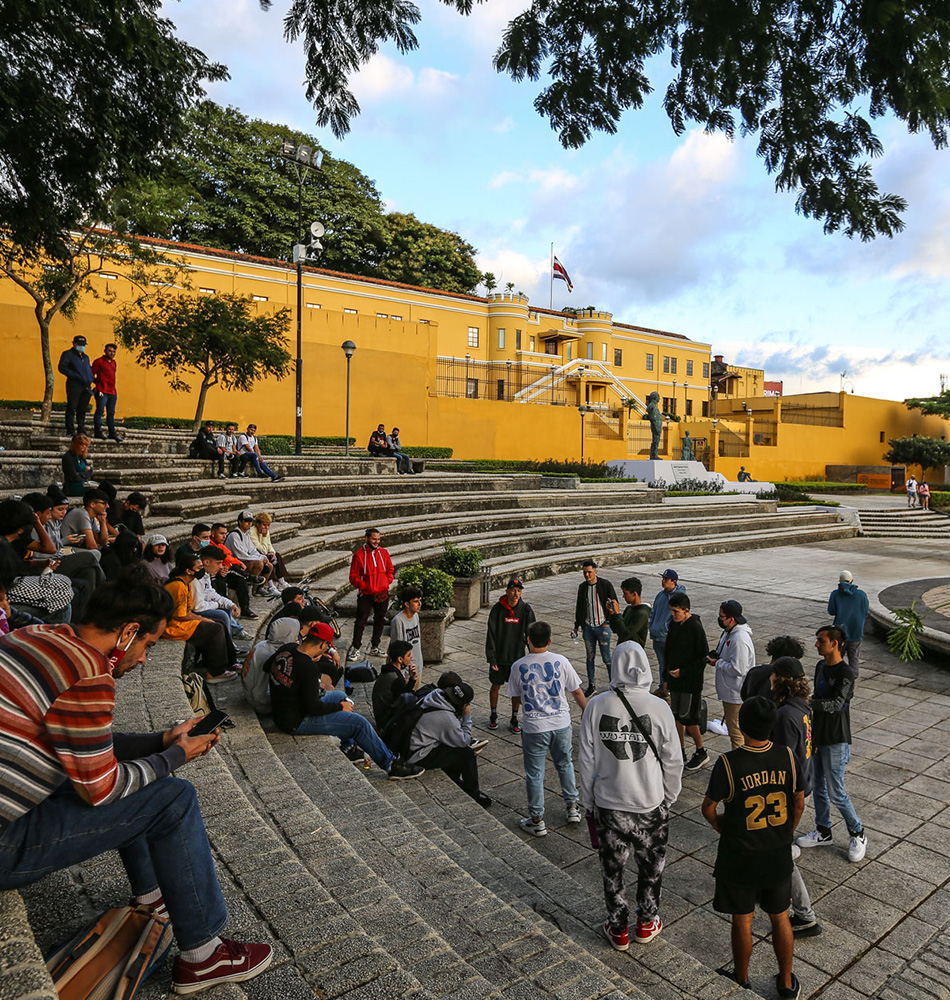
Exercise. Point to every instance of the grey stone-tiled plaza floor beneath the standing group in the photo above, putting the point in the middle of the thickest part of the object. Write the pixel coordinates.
(882, 920)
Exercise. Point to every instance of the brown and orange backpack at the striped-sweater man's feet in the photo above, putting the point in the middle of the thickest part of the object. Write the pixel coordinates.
(109, 958)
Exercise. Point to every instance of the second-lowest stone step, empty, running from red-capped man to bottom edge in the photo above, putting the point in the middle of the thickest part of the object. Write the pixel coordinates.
(513, 947)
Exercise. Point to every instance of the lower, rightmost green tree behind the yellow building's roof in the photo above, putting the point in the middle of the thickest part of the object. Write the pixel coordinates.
(419, 253)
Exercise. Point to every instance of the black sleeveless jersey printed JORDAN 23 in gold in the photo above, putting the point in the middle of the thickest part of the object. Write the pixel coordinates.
(757, 786)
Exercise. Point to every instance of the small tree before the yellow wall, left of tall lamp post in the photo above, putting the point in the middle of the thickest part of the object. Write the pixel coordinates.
(217, 338)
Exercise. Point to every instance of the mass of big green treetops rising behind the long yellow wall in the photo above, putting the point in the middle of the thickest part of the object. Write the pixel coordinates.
(225, 185)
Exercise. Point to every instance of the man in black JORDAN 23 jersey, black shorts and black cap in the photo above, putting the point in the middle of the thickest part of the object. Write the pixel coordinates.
(761, 787)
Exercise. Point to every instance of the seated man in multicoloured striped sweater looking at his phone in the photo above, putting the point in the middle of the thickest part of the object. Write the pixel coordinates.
(71, 788)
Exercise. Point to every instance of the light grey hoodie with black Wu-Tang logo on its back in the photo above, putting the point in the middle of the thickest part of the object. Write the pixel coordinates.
(616, 767)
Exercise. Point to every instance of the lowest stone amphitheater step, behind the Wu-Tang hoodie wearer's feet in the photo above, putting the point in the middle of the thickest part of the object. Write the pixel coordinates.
(523, 877)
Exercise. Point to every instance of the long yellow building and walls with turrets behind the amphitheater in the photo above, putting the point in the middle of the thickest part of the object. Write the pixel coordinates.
(490, 377)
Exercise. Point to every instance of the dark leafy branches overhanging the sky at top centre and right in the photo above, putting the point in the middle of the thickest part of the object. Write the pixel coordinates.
(806, 77)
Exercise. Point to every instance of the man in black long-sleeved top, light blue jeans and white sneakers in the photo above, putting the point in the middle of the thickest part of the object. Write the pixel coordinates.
(831, 737)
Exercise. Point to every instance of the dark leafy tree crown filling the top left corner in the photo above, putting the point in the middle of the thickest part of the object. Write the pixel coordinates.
(87, 95)
